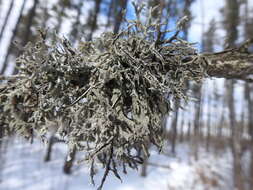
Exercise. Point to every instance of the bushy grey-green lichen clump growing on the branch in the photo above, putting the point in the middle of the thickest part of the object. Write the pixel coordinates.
(109, 96)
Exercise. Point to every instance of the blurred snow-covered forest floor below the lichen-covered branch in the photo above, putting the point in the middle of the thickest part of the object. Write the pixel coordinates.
(24, 169)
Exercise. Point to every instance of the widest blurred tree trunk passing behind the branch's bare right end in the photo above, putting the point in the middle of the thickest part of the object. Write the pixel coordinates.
(231, 24)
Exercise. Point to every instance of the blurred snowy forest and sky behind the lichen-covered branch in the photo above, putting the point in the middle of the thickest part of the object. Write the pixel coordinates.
(208, 141)
